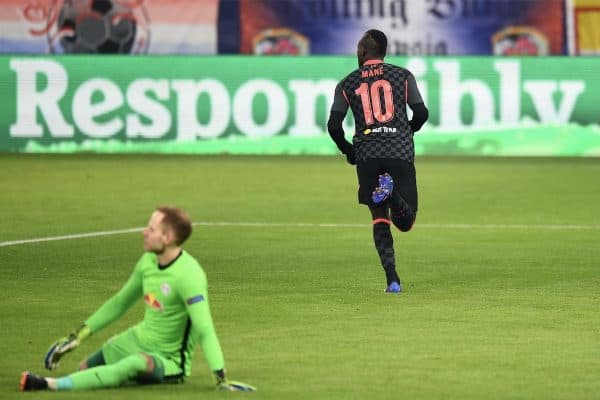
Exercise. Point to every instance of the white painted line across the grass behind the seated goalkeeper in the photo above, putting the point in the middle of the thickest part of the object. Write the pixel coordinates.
(304, 225)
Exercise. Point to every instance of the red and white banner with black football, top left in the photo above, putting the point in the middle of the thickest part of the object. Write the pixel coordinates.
(109, 26)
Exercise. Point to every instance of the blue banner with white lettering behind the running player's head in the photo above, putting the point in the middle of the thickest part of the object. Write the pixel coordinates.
(428, 27)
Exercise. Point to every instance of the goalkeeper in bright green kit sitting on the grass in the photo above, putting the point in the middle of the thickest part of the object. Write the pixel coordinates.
(177, 316)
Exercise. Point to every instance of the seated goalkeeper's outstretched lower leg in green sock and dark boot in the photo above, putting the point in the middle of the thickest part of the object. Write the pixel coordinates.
(103, 376)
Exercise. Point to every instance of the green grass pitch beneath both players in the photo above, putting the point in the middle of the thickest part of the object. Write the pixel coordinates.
(501, 274)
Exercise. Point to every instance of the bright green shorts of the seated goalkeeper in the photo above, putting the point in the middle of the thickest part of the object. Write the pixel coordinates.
(126, 344)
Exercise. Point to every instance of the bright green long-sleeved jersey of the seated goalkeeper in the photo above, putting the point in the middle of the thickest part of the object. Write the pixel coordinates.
(177, 313)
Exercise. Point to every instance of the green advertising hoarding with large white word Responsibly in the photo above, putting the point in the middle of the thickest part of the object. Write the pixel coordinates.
(279, 105)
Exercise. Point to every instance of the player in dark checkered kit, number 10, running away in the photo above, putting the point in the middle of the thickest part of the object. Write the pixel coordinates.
(382, 147)
